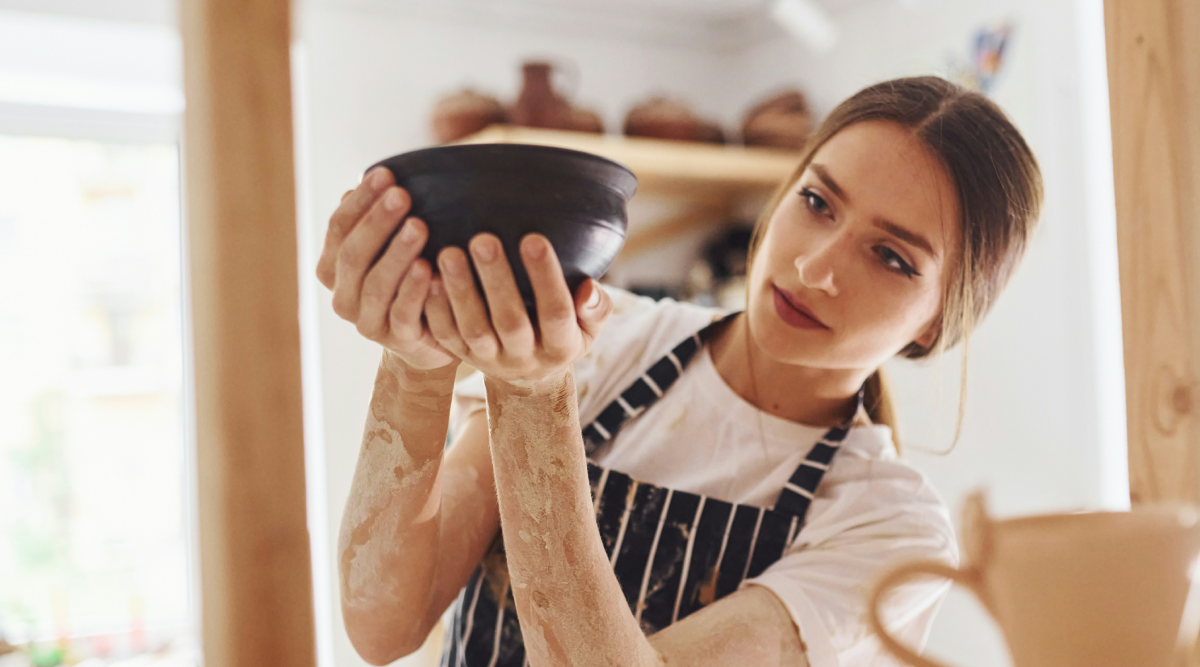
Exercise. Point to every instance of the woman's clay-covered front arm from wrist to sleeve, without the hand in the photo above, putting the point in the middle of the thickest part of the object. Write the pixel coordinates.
(572, 609)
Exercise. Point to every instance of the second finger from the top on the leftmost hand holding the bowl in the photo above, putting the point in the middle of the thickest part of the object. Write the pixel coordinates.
(362, 249)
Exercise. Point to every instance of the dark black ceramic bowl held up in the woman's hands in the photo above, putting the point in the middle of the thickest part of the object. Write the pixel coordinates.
(575, 200)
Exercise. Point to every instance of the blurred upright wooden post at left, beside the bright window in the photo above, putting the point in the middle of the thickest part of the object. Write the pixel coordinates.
(255, 563)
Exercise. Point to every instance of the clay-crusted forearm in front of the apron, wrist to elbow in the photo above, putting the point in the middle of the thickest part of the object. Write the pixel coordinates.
(572, 609)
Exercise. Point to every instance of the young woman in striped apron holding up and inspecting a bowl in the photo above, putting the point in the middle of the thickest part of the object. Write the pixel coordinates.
(740, 467)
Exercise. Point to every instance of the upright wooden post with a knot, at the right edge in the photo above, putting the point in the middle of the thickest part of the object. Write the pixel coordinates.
(1154, 55)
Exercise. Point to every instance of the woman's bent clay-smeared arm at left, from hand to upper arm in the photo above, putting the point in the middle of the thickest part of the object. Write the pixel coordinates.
(415, 525)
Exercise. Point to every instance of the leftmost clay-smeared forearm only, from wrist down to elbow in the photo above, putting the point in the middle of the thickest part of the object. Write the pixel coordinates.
(389, 537)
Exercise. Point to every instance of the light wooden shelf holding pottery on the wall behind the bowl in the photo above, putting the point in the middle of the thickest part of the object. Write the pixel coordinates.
(700, 172)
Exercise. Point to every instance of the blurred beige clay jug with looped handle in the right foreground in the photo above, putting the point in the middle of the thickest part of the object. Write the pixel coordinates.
(1113, 590)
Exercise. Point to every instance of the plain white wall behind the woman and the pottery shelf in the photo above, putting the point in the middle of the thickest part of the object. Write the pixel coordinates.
(1045, 412)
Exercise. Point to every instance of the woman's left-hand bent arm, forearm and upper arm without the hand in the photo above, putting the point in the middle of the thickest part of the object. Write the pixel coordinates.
(415, 525)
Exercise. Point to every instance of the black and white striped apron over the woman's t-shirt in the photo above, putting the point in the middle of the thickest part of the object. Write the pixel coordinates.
(673, 551)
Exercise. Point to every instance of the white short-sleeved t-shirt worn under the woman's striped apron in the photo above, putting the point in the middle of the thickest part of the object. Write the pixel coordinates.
(871, 512)
